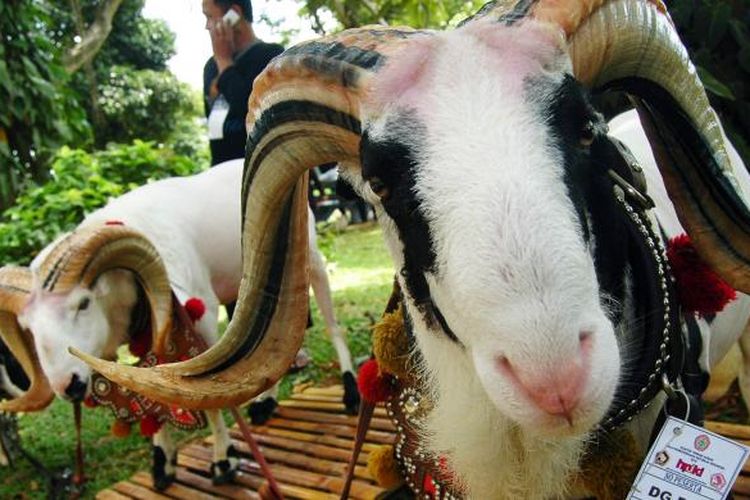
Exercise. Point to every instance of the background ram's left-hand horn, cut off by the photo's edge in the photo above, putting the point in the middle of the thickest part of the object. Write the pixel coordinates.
(15, 290)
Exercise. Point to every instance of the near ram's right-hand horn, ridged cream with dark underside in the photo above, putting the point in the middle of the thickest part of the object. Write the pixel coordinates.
(632, 45)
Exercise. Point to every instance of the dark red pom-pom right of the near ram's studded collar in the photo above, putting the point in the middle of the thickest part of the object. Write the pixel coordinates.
(699, 288)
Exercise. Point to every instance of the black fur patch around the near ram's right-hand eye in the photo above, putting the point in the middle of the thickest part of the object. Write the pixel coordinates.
(579, 135)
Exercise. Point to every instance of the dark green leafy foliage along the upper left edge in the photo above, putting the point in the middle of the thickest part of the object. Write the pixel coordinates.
(39, 112)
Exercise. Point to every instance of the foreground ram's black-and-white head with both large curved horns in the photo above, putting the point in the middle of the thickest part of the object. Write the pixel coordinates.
(544, 305)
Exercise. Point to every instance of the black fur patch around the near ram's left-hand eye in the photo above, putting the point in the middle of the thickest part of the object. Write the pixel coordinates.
(395, 166)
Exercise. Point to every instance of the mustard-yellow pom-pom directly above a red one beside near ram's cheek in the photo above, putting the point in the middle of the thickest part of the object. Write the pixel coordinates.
(391, 345)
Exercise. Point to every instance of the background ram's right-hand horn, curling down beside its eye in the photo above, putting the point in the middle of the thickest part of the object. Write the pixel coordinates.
(83, 255)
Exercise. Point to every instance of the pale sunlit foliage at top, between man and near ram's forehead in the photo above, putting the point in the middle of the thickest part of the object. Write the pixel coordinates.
(415, 13)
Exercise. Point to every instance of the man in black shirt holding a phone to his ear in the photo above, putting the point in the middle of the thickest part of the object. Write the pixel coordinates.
(239, 57)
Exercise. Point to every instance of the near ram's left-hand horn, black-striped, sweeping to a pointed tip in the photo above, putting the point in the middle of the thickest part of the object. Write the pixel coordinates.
(304, 112)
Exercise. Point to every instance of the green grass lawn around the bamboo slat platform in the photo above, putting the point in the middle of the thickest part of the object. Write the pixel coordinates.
(361, 276)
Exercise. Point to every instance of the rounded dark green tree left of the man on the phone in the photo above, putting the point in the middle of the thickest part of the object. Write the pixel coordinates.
(128, 93)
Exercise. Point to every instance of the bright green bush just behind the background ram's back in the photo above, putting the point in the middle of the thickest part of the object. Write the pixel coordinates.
(81, 182)
